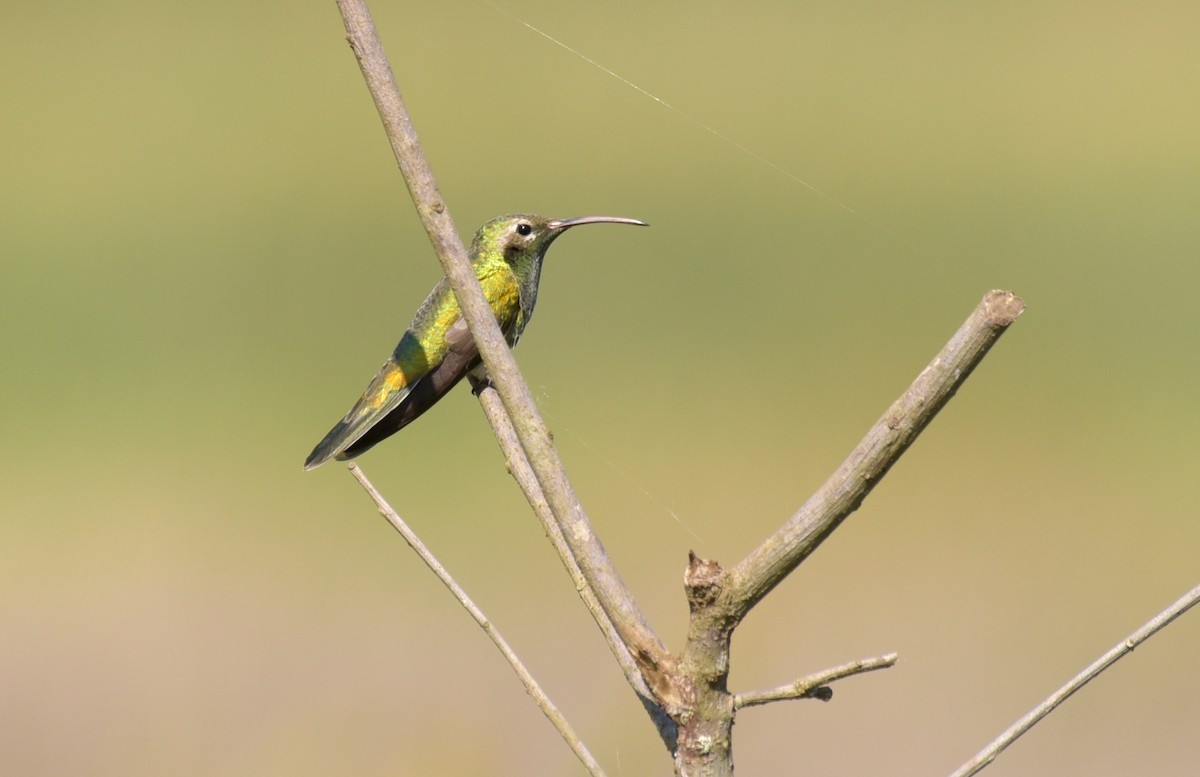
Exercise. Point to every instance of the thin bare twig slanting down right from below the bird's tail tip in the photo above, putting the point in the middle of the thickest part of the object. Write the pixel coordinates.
(553, 714)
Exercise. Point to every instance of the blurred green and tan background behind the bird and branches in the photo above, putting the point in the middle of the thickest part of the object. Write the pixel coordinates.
(208, 252)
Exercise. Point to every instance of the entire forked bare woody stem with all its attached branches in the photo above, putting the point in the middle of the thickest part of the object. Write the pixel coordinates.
(689, 689)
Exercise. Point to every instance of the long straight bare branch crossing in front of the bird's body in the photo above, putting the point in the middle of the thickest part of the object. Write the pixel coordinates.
(590, 555)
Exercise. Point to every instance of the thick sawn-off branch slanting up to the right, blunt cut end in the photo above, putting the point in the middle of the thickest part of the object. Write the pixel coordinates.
(869, 462)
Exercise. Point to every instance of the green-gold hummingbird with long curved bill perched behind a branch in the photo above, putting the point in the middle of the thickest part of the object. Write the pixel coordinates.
(437, 351)
